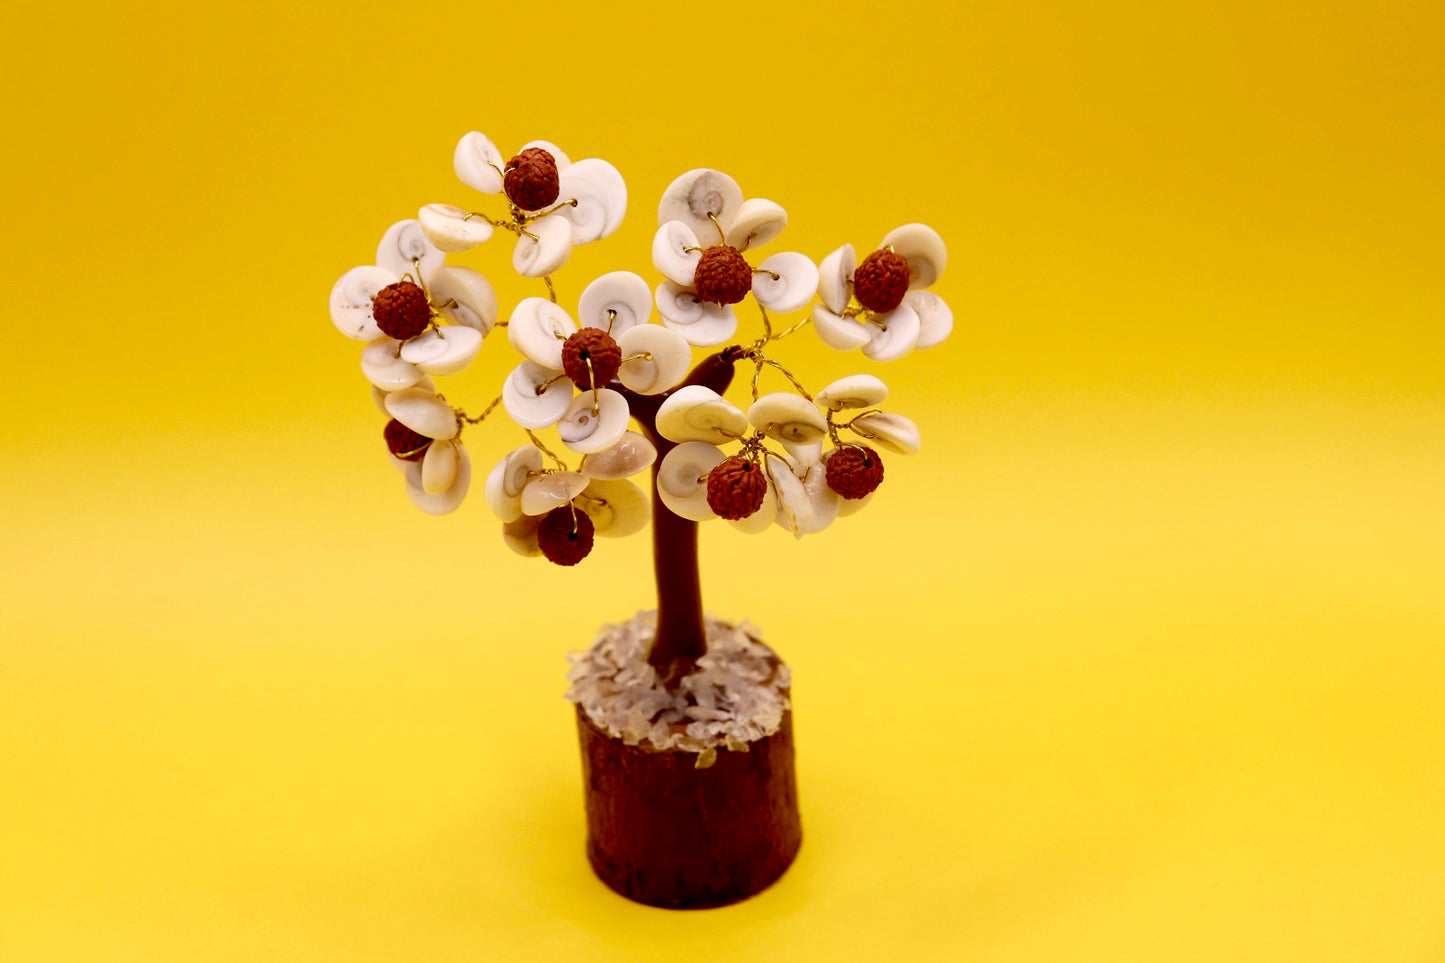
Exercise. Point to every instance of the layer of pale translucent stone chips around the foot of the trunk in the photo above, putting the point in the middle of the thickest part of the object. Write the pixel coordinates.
(738, 696)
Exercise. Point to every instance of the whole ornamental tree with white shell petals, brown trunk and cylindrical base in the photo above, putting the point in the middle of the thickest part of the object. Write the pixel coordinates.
(673, 821)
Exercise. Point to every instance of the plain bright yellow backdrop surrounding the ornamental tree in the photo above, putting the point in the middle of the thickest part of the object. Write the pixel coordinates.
(1141, 660)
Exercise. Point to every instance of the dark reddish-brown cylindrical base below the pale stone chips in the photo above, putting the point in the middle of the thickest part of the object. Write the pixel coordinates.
(665, 834)
